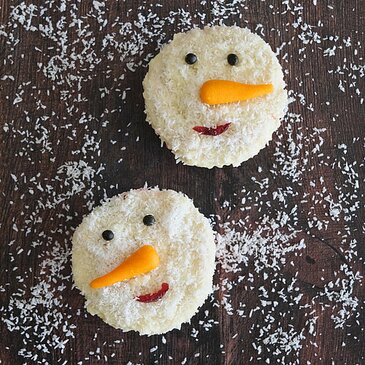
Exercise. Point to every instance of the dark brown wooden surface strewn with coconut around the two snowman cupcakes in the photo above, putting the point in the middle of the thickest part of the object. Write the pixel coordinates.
(48, 118)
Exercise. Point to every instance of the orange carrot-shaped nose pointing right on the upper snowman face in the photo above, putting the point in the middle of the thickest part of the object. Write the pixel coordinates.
(215, 92)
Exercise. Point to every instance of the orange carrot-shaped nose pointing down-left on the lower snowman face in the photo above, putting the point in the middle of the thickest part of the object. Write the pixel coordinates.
(140, 262)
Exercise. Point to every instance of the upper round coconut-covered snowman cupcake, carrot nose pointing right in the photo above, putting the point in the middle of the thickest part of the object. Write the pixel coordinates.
(215, 95)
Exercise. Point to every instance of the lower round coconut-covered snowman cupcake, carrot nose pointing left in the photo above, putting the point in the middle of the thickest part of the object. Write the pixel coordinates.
(144, 260)
